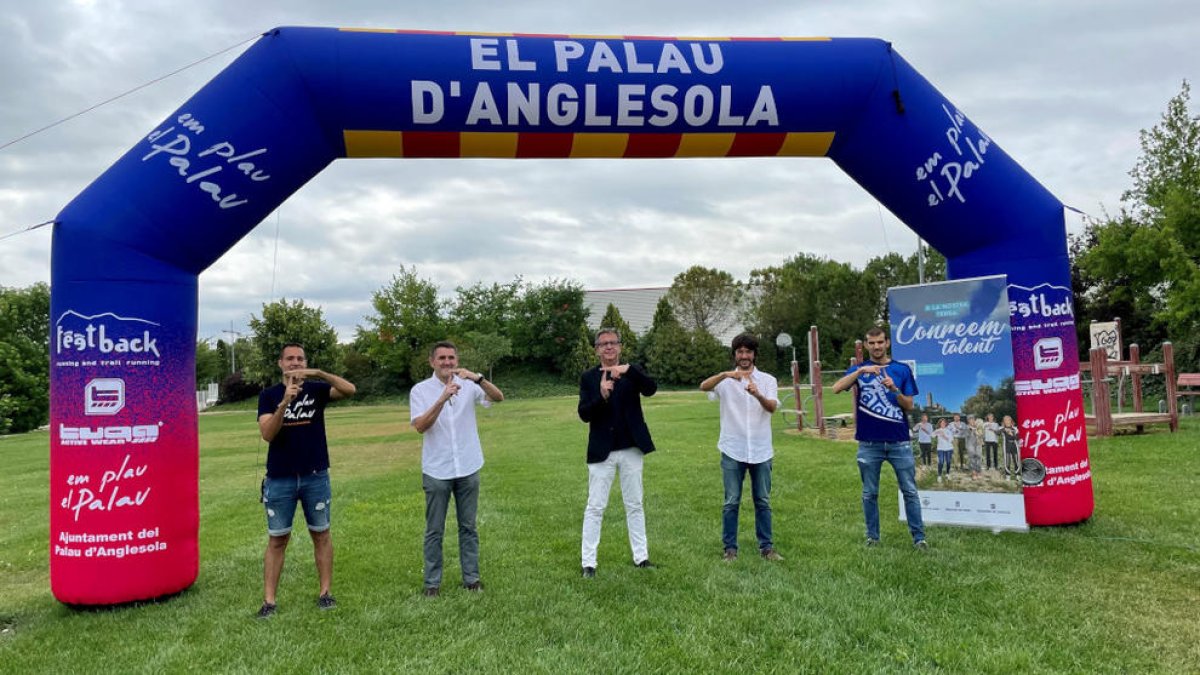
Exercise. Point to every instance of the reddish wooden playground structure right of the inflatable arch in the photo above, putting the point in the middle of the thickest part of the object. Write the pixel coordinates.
(1103, 373)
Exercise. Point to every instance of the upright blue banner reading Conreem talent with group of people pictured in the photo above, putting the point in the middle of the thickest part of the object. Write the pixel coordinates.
(957, 338)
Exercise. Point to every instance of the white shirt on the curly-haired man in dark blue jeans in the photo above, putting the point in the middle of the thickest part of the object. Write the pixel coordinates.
(746, 425)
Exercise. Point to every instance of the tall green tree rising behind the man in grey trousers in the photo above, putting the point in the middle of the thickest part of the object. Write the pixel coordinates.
(407, 322)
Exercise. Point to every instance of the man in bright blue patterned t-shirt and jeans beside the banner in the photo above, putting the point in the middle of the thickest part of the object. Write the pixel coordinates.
(885, 393)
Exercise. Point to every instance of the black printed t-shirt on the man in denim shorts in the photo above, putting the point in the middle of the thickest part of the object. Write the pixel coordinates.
(301, 445)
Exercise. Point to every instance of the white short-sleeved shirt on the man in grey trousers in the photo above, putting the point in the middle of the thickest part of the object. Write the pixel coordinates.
(451, 447)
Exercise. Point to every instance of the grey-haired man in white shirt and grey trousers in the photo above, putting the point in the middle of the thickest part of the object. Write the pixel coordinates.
(443, 410)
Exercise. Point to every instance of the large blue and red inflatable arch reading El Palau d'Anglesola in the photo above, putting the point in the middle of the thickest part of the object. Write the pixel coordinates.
(128, 250)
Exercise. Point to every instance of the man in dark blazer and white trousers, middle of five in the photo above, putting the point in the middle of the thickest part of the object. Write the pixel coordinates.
(611, 403)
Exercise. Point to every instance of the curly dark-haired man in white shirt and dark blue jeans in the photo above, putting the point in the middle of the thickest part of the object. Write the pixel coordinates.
(748, 399)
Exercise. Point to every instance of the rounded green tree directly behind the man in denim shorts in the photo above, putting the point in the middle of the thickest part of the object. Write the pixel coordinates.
(285, 322)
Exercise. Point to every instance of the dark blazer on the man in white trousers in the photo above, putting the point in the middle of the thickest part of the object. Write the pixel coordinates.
(623, 409)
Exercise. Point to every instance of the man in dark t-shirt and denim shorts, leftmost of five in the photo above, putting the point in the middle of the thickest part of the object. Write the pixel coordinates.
(292, 420)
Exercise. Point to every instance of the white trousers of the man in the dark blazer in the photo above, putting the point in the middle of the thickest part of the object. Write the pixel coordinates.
(629, 464)
